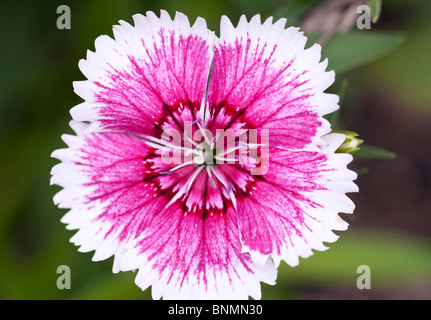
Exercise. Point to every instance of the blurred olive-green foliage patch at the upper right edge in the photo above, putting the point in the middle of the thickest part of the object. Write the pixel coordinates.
(407, 70)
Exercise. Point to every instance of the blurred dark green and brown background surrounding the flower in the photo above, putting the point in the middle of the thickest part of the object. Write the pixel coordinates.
(387, 101)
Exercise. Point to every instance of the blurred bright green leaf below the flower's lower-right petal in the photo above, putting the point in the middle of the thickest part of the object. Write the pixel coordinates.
(392, 258)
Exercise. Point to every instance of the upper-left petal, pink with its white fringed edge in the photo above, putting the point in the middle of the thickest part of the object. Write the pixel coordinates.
(147, 71)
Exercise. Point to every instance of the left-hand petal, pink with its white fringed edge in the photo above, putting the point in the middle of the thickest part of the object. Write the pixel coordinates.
(108, 185)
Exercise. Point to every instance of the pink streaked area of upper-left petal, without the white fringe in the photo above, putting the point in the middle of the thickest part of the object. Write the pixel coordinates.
(134, 98)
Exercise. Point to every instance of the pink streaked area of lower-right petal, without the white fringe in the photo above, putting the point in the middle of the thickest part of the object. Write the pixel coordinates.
(276, 208)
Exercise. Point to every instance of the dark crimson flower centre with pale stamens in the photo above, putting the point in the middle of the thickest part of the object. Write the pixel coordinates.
(198, 155)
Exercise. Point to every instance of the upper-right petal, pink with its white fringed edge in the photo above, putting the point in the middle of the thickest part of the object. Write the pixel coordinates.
(263, 73)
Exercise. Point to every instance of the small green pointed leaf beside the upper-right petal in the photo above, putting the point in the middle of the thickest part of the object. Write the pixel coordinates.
(354, 49)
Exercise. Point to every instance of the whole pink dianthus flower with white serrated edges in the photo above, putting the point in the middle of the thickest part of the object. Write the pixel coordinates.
(202, 162)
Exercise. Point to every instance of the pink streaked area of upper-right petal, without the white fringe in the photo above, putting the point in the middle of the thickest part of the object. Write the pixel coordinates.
(273, 97)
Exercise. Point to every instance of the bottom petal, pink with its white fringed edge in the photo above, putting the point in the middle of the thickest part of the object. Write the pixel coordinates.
(186, 257)
